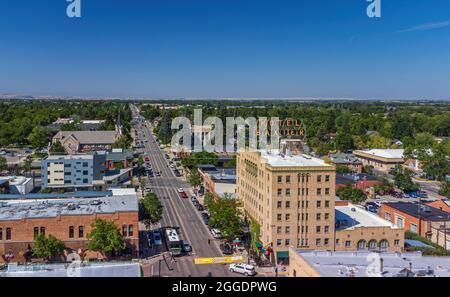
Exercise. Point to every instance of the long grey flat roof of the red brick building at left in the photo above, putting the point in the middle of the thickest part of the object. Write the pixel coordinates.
(26, 209)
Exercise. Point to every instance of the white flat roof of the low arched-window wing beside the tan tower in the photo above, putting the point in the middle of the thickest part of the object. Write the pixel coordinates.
(351, 217)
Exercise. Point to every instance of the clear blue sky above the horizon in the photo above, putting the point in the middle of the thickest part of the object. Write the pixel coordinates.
(226, 48)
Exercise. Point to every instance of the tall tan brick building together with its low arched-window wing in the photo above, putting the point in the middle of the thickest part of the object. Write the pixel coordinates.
(292, 198)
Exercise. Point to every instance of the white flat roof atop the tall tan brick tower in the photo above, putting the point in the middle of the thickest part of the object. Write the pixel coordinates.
(275, 159)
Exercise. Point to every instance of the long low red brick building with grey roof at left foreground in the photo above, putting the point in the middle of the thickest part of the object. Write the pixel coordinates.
(68, 220)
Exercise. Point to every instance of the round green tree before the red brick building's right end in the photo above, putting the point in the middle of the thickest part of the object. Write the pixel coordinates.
(105, 238)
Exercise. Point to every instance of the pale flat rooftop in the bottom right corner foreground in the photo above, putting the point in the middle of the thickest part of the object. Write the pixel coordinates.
(345, 264)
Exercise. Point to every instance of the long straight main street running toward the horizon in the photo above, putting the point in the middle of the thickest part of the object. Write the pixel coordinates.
(179, 212)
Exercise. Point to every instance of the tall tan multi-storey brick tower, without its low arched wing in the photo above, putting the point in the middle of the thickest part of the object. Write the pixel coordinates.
(291, 197)
